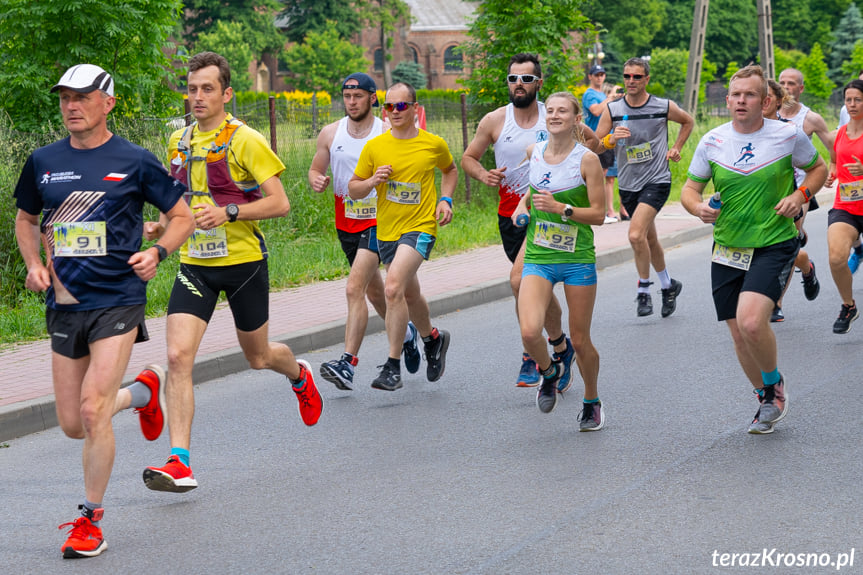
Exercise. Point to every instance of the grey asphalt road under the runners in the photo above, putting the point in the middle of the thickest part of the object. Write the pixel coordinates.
(467, 476)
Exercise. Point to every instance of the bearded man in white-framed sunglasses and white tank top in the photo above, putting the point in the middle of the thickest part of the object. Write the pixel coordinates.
(512, 129)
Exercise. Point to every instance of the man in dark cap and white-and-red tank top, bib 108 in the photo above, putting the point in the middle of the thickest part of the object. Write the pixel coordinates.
(338, 147)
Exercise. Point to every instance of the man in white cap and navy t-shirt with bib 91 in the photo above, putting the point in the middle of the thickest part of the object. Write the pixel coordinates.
(90, 189)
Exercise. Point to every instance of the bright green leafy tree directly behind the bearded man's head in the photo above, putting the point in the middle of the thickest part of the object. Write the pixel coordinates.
(503, 28)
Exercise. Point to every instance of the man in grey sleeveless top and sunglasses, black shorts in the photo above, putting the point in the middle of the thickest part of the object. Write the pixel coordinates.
(636, 126)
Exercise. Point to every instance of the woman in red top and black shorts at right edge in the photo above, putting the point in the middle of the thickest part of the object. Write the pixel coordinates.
(845, 221)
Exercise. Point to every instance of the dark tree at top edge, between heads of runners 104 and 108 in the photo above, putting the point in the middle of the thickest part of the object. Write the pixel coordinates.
(303, 16)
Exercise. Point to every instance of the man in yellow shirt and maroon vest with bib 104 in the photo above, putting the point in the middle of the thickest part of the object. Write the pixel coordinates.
(233, 181)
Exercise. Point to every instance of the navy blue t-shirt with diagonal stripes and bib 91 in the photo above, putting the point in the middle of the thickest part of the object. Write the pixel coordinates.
(91, 203)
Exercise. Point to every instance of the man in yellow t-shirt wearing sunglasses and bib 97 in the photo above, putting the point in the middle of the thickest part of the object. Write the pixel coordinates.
(400, 166)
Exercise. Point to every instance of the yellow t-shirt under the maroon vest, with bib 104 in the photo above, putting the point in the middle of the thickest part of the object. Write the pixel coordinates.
(249, 158)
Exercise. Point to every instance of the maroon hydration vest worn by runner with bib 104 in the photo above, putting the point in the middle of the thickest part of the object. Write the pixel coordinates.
(221, 187)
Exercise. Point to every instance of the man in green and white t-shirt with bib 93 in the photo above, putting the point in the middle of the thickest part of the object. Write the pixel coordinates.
(751, 161)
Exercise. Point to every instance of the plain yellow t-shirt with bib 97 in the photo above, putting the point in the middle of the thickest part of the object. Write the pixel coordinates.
(407, 201)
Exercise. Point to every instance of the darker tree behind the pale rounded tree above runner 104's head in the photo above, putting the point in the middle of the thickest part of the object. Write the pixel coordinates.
(257, 18)
